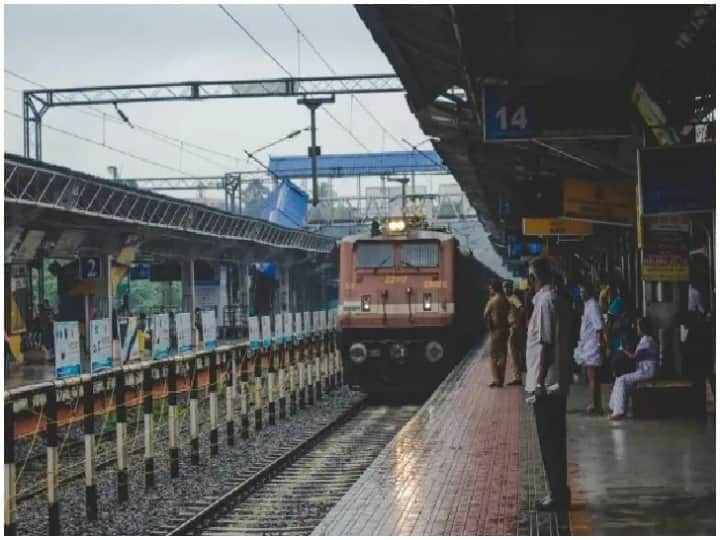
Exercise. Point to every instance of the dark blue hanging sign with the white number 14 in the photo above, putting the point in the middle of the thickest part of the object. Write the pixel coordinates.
(555, 112)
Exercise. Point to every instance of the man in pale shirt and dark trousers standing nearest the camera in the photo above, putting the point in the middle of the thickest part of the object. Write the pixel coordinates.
(548, 379)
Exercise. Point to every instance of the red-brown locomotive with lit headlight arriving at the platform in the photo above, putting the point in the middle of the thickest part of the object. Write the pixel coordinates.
(410, 306)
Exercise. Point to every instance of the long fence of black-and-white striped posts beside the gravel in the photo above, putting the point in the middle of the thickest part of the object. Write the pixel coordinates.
(139, 404)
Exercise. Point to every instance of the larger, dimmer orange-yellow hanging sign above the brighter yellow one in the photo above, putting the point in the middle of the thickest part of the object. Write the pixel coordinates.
(599, 202)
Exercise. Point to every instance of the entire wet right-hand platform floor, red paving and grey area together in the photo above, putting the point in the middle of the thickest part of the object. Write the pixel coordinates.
(469, 464)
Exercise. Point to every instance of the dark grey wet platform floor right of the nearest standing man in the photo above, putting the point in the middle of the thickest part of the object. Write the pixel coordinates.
(642, 476)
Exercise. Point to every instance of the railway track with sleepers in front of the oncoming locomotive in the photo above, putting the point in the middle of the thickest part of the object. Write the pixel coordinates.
(293, 492)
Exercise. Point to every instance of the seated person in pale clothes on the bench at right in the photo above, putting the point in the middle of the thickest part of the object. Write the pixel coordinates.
(646, 355)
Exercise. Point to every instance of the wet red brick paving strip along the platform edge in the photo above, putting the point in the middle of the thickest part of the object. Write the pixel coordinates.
(452, 470)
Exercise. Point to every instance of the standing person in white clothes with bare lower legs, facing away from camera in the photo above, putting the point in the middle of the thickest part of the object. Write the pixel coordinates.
(588, 352)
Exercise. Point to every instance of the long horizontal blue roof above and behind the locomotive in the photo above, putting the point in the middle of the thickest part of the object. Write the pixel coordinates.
(369, 164)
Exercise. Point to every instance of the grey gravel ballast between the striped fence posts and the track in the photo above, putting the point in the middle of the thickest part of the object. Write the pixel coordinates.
(148, 511)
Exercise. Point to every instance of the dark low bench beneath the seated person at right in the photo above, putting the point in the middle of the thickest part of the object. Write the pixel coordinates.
(664, 398)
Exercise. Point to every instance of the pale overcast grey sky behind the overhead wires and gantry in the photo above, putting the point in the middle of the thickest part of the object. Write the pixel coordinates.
(87, 45)
